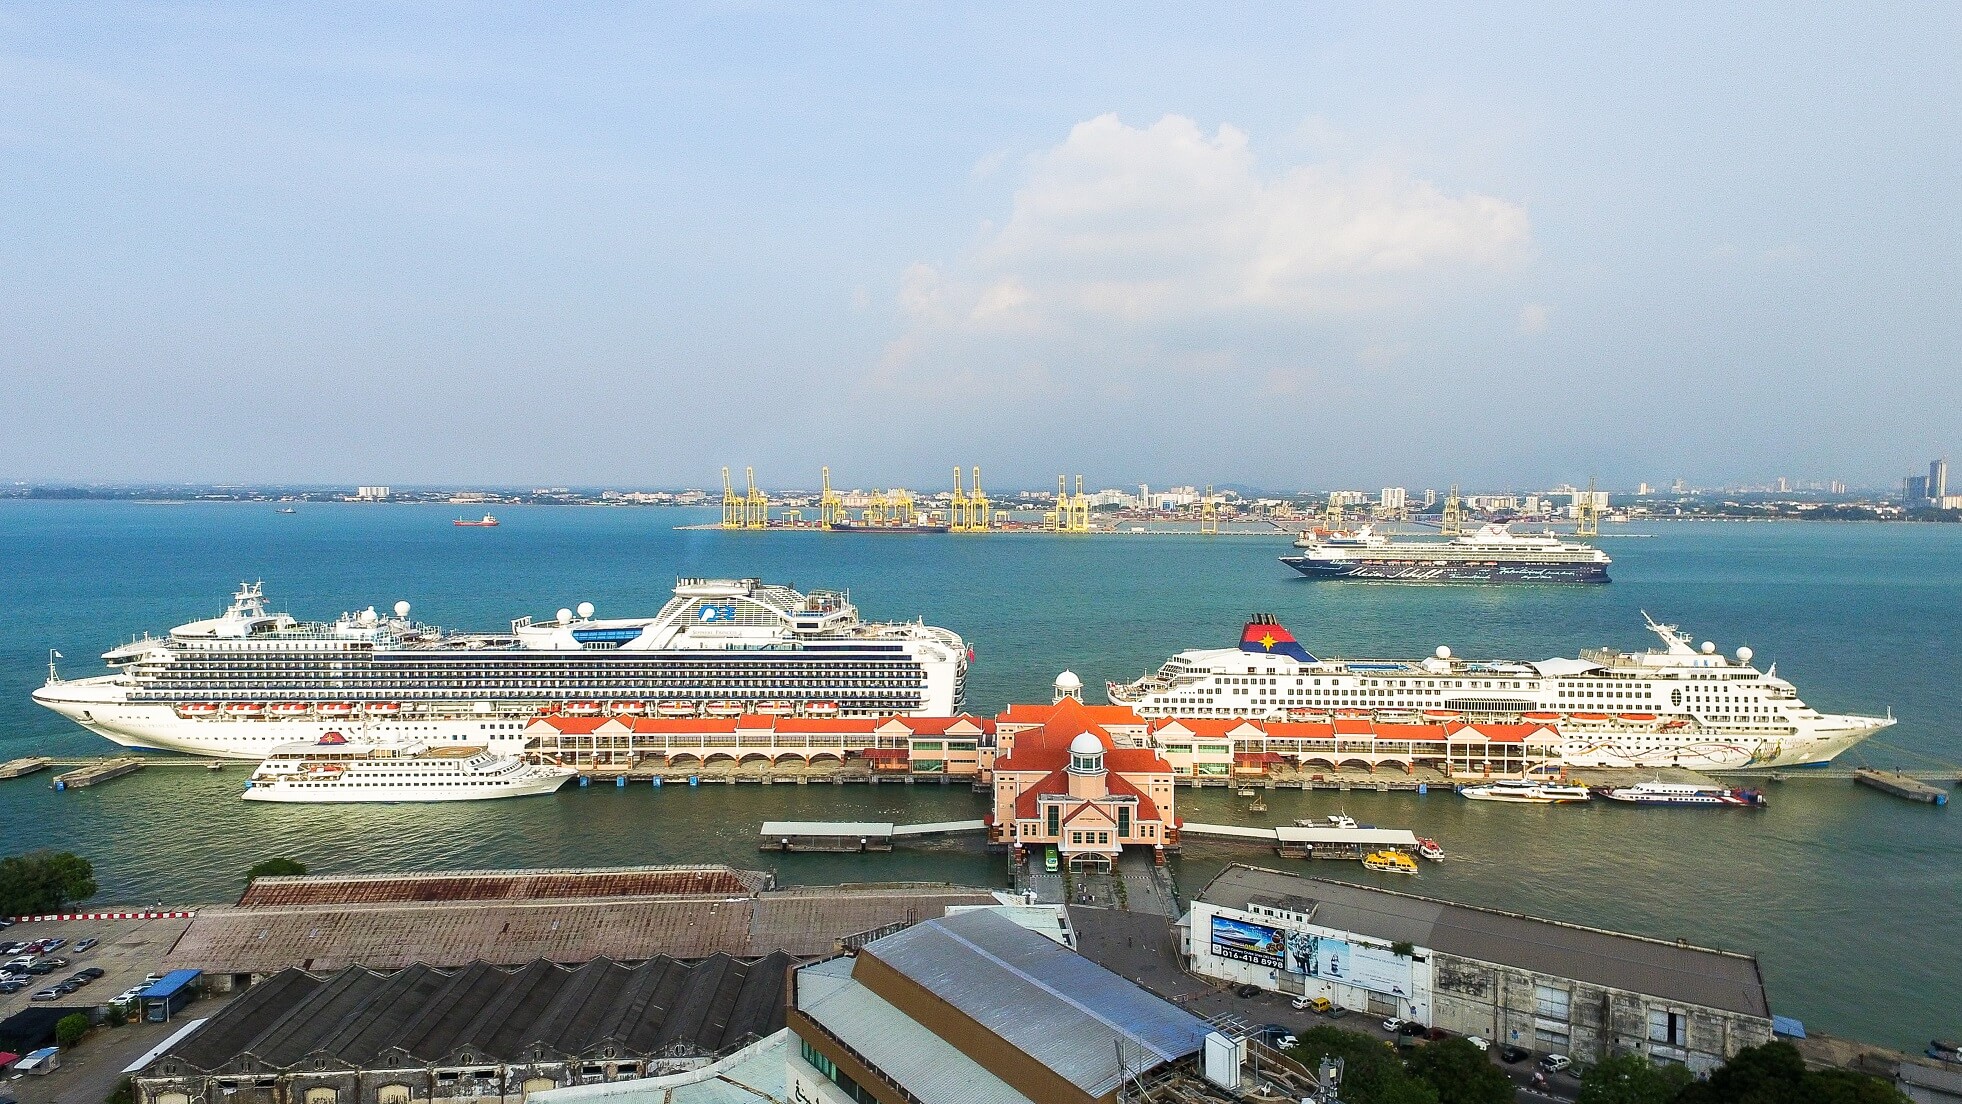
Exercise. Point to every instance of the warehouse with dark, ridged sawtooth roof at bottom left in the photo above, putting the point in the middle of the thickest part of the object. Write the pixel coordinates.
(364, 1036)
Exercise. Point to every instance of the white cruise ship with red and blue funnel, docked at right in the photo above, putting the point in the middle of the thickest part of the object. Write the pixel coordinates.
(1673, 707)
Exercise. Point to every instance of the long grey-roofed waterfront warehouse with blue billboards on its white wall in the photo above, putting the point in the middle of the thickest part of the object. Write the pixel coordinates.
(1514, 979)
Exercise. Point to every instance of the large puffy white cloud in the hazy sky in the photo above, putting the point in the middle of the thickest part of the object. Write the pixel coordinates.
(1166, 225)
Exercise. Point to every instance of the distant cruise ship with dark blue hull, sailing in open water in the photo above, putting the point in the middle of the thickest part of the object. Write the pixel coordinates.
(1490, 556)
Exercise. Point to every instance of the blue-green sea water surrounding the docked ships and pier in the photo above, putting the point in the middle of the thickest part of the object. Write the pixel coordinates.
(1851, 899)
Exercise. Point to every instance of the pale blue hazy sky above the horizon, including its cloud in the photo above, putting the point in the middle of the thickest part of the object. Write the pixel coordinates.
(1288, 246)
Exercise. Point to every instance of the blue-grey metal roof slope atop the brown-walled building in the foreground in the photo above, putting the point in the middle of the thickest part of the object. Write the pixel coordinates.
(1041, 997)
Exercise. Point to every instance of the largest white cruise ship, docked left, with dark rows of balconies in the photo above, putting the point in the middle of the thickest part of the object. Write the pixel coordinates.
(250, 681)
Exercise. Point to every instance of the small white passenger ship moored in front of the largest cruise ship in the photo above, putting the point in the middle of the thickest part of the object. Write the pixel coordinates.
(336, 770)
